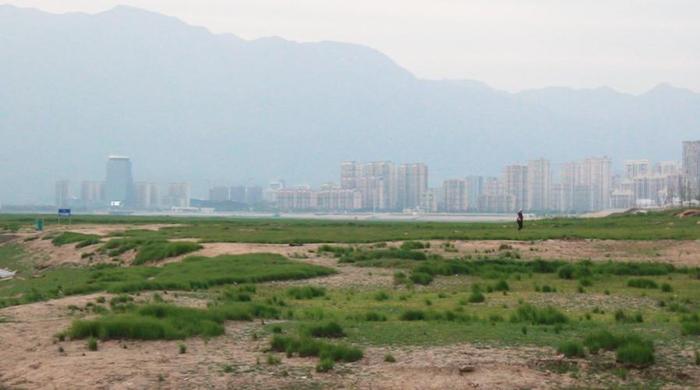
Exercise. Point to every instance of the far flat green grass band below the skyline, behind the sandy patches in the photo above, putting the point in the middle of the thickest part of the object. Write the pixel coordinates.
(650, 226)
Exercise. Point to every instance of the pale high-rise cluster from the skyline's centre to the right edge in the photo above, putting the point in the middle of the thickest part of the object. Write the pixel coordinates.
(536, 186)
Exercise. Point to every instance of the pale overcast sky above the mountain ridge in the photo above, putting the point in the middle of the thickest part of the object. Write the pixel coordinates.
(630, 45)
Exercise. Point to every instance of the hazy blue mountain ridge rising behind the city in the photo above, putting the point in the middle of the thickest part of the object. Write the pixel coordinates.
(188, 105)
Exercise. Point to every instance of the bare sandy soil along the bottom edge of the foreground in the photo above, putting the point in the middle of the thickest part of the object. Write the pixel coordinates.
(30, 358)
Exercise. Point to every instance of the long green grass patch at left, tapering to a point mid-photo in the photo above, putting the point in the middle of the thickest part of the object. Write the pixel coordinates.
(190, 274)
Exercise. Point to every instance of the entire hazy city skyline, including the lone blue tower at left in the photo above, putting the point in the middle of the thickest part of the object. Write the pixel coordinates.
(578, 186)
